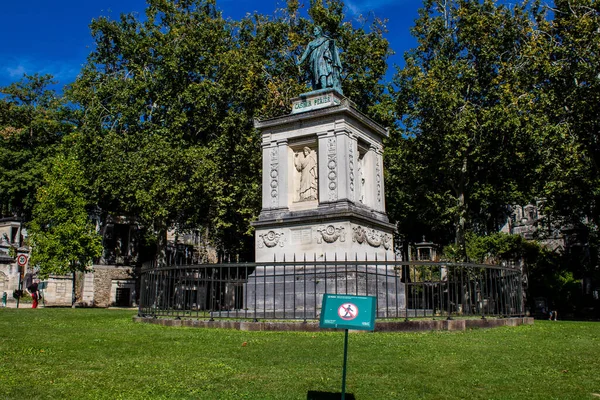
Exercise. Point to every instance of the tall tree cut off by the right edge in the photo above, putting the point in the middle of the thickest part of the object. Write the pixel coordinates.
(567, 98)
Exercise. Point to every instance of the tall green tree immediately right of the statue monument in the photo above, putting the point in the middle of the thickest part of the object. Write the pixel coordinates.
(466, 149)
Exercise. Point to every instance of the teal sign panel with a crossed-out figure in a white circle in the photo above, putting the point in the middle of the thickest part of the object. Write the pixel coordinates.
(340, 311)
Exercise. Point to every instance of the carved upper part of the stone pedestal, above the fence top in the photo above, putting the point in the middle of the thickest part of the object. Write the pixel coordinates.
(323, 186)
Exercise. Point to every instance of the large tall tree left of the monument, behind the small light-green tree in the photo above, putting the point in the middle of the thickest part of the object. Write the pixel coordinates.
(155, 99)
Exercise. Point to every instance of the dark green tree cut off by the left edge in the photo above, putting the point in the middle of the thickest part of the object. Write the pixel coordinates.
(33, 120)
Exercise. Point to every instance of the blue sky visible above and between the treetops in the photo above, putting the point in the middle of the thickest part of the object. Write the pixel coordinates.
(53, 36)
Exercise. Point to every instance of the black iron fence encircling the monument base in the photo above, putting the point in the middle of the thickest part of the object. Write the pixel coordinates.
(294, 290)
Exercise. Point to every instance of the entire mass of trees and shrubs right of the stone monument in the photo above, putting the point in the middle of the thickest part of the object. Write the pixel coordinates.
(498, 106)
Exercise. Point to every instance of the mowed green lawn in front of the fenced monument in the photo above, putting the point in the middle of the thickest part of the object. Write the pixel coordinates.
(102, 354)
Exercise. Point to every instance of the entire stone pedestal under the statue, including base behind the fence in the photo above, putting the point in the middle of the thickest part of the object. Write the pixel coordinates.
(323, 199)
